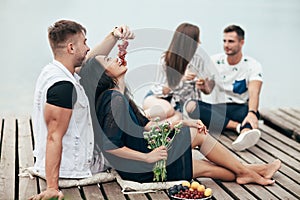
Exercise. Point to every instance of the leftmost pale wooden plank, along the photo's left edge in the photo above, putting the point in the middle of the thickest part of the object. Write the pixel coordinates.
(7, 163)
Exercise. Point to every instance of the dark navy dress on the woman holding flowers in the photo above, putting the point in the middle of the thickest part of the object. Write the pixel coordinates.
(120, 127)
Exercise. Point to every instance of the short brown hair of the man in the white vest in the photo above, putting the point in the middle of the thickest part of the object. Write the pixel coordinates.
(60, 31)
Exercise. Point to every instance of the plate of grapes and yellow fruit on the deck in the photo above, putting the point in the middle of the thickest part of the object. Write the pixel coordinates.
(190, 190)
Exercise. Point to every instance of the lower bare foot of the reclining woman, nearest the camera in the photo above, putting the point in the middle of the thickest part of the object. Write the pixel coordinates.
(252, 177)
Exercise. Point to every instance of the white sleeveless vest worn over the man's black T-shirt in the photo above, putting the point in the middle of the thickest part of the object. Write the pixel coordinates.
(78, 141)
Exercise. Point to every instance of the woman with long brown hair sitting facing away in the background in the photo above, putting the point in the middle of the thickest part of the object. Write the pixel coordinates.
(183, 74)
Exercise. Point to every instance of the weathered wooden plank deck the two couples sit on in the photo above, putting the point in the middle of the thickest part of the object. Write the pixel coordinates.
(17, 142)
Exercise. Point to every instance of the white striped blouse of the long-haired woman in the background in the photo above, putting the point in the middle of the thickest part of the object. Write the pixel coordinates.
(200, 64)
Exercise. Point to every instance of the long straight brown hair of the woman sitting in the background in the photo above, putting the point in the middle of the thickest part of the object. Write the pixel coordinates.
(180, 52)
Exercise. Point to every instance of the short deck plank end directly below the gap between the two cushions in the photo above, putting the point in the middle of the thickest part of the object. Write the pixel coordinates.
(113, 191)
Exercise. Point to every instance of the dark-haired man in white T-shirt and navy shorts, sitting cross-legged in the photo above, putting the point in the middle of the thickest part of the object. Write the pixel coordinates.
(235, 98)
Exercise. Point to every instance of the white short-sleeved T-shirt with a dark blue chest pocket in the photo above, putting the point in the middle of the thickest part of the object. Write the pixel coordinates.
(234, 79)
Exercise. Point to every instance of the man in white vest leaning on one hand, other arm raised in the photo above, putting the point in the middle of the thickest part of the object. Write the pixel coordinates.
(64, 136)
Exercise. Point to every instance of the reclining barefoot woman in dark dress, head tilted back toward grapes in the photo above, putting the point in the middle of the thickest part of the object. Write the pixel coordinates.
(122, 126)
